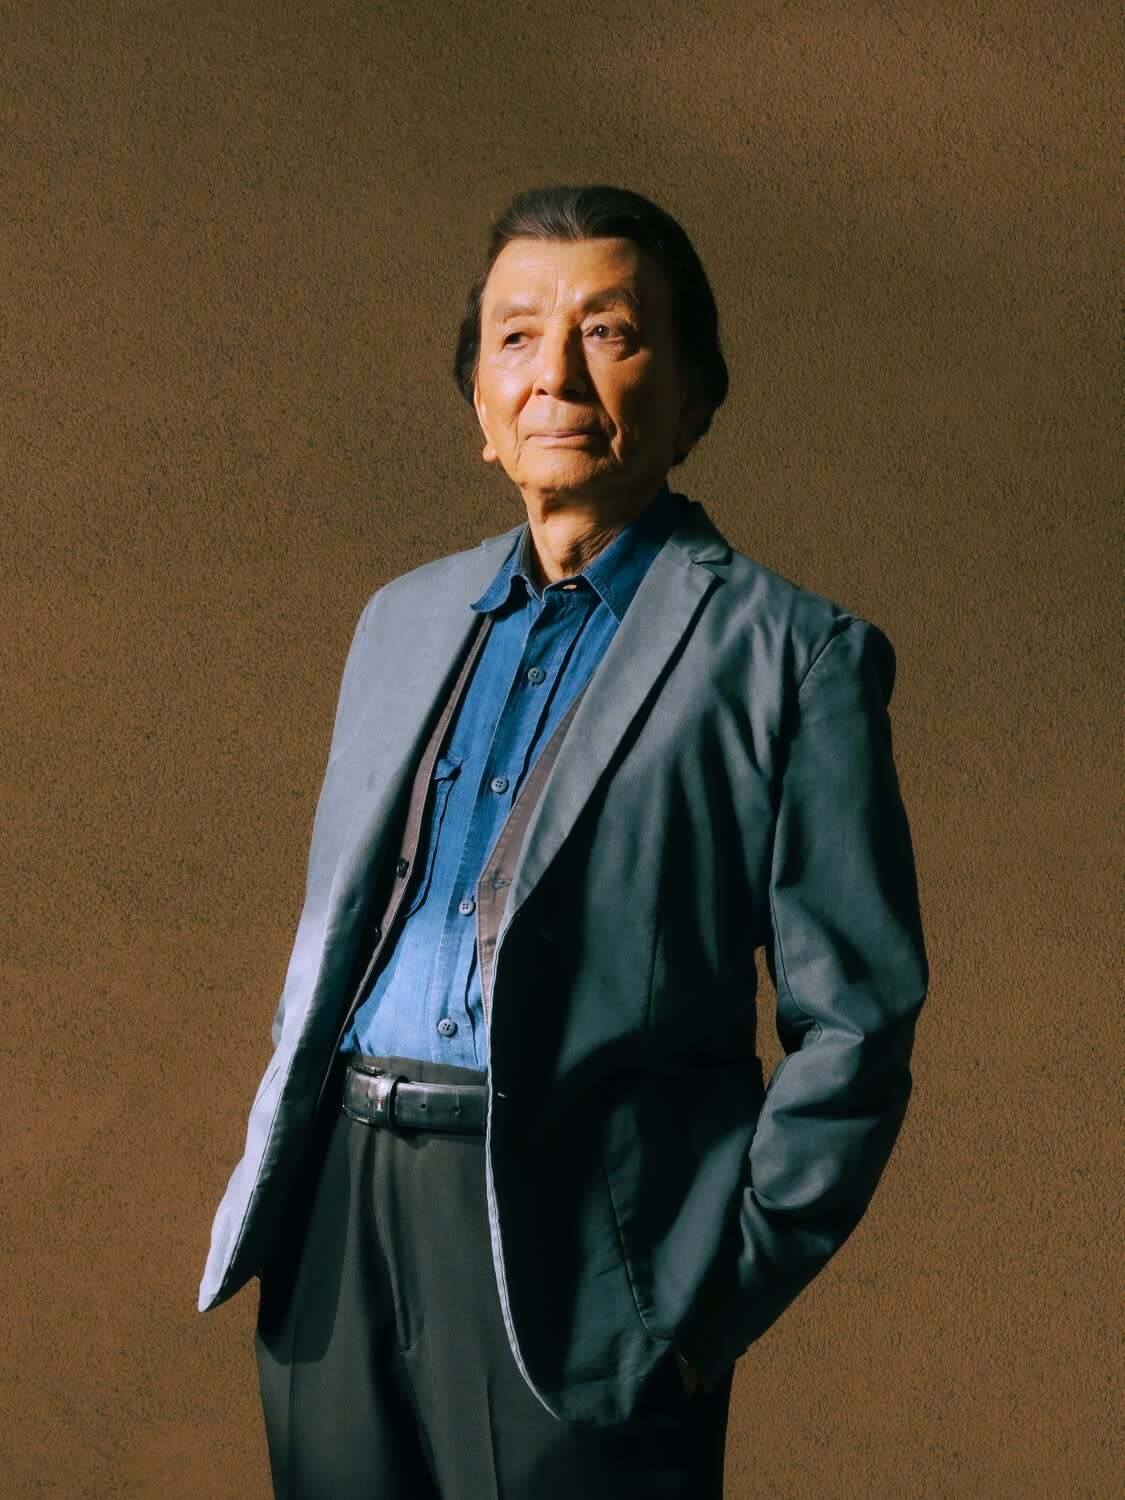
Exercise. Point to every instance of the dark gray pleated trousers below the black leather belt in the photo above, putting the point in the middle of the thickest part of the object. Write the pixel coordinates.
(385, 1366)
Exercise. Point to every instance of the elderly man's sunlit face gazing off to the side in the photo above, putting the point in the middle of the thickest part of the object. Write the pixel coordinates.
(578, 388)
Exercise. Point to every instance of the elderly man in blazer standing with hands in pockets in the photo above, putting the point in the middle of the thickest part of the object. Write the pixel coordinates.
(514, 1186)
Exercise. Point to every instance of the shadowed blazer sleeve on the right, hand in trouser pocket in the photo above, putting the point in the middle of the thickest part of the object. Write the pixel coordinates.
(850, 967)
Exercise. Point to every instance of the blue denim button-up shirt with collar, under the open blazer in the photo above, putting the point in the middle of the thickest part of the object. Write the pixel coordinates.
(544, 647)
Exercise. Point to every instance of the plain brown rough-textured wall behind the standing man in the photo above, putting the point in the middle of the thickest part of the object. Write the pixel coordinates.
(236, 239)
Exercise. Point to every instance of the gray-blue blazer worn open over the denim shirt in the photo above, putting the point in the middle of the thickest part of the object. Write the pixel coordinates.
(727, 784)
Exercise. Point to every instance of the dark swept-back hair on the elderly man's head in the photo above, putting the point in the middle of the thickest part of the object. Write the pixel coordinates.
(593, 214)
